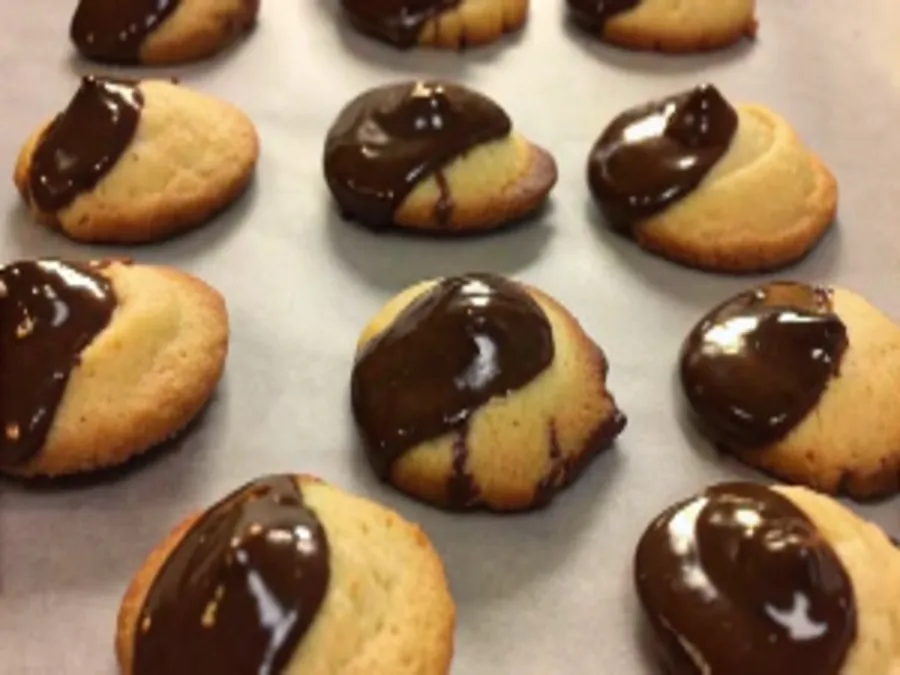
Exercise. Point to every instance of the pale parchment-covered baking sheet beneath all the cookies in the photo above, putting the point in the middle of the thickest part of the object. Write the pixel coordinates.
(538, 594)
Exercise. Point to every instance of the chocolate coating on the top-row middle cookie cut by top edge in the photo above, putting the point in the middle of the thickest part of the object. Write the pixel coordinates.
(397, 22)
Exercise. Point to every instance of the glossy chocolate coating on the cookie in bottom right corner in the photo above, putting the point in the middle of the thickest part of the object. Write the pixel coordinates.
(738, 581)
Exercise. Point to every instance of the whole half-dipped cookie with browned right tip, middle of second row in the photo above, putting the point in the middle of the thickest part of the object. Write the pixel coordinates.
(433, 156)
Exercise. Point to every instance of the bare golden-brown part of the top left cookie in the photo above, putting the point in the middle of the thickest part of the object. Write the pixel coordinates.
(198, 29)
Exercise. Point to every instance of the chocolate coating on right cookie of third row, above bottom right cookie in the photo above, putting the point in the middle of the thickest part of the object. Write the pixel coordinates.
(756, 365)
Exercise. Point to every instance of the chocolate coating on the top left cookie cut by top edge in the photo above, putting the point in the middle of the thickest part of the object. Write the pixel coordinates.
(113, 31)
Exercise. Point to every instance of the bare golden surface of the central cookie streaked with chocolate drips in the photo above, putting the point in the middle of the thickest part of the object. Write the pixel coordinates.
(528, 445)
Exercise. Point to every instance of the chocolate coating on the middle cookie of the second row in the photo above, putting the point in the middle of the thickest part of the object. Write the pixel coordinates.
(389, 139)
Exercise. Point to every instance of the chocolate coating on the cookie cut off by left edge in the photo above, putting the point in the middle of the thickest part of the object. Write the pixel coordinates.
(49, 312)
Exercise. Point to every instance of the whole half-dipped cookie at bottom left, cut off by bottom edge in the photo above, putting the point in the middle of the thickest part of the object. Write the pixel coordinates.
(289, 575)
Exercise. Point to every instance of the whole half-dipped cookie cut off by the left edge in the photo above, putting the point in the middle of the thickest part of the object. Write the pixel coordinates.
(102, 361)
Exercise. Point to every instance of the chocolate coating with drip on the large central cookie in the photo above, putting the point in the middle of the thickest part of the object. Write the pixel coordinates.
(457, 346)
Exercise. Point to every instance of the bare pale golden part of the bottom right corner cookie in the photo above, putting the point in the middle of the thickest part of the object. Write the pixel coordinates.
(873, 564)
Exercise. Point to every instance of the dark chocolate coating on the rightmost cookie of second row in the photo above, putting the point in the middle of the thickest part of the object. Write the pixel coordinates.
(653, 155)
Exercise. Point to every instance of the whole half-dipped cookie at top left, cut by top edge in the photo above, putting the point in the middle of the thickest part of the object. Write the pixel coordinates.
(159, 32)
